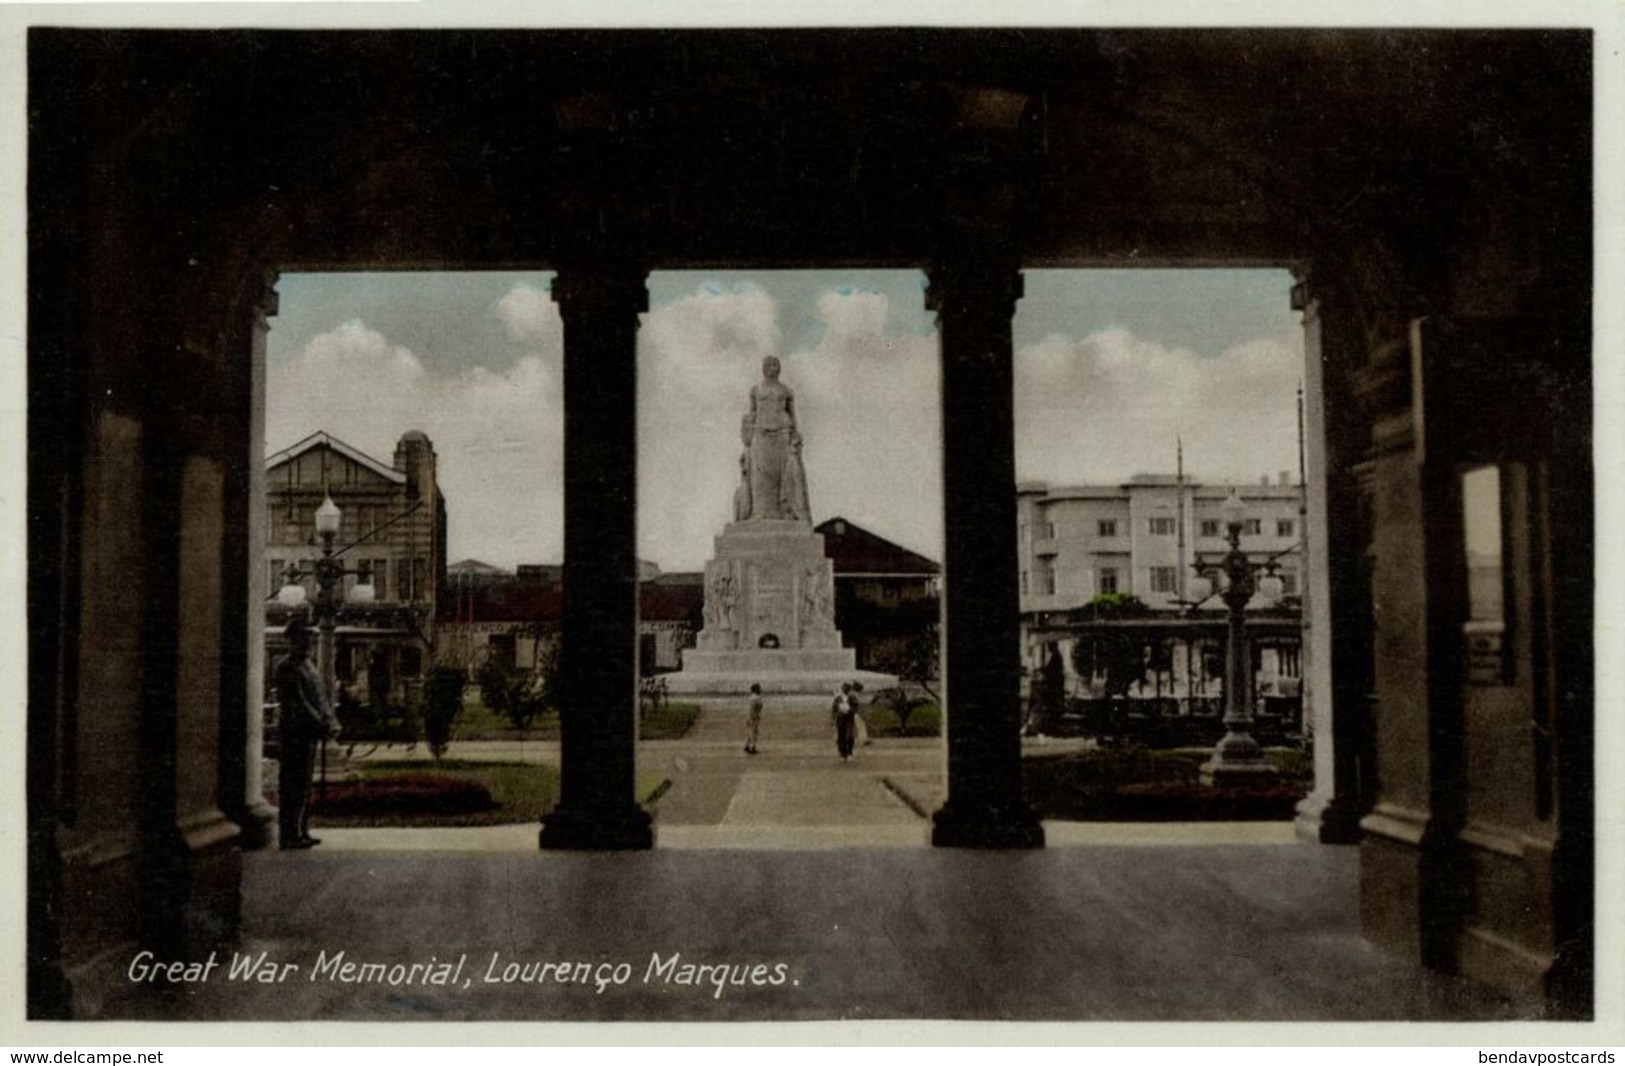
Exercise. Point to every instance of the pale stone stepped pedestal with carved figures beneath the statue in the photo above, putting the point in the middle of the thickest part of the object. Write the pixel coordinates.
(769, 617)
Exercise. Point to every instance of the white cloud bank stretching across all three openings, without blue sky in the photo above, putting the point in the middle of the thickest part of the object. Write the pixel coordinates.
(1099, 409)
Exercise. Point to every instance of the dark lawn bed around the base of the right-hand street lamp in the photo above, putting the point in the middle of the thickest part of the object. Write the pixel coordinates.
(1153, 787)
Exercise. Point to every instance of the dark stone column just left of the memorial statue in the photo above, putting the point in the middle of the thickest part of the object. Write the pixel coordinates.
(600, 305)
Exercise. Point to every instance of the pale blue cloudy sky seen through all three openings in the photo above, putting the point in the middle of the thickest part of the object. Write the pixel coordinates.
(1111, 370)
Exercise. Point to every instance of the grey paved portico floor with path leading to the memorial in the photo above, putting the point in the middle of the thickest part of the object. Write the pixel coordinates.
(791, 886)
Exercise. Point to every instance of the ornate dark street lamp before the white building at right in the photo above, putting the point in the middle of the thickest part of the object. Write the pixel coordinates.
(1237, 760)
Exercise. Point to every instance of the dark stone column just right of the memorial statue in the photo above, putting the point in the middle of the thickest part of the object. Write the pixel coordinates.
(974, 301)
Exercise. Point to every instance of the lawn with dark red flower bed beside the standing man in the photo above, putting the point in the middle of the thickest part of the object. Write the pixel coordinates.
(518, 794)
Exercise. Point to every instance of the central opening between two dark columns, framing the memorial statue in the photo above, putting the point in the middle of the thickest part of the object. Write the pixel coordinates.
(794, 570)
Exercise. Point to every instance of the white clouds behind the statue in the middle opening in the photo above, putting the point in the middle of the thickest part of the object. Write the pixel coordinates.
(867, 402)
